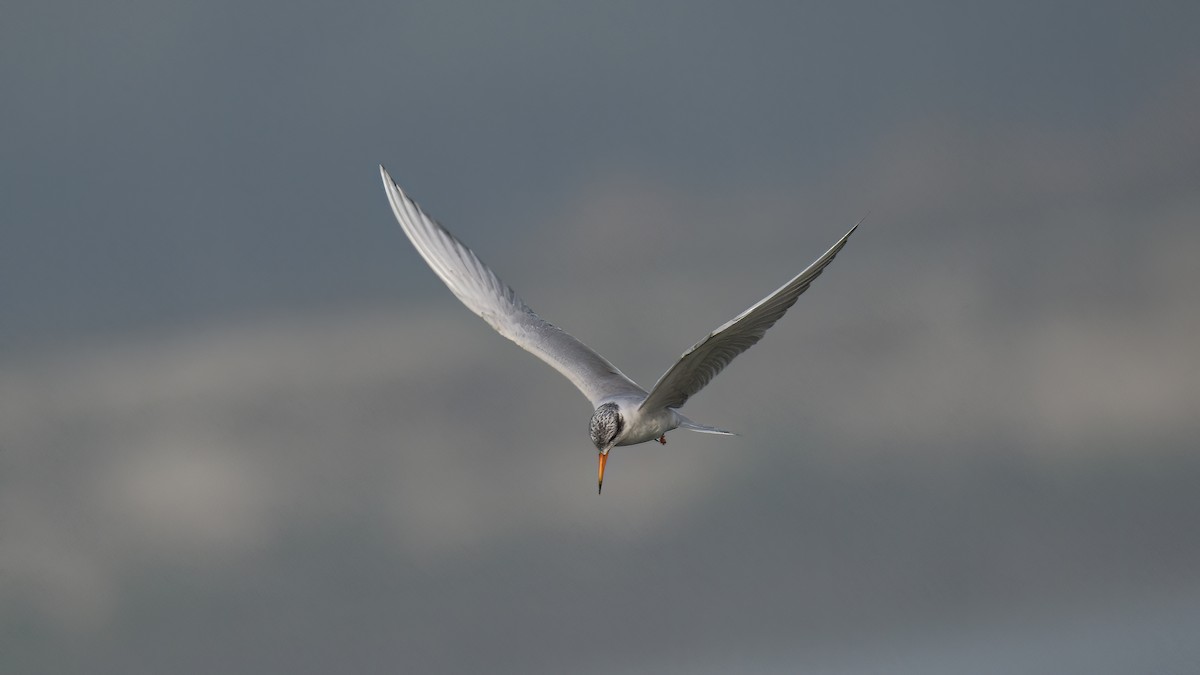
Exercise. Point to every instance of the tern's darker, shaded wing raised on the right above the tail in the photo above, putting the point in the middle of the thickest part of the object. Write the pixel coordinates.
(699, 366)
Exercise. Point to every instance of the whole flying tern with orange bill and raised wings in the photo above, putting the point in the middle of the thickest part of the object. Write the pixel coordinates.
(625, 414)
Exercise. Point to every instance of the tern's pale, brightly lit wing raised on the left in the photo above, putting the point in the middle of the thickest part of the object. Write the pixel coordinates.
(485, 295)
